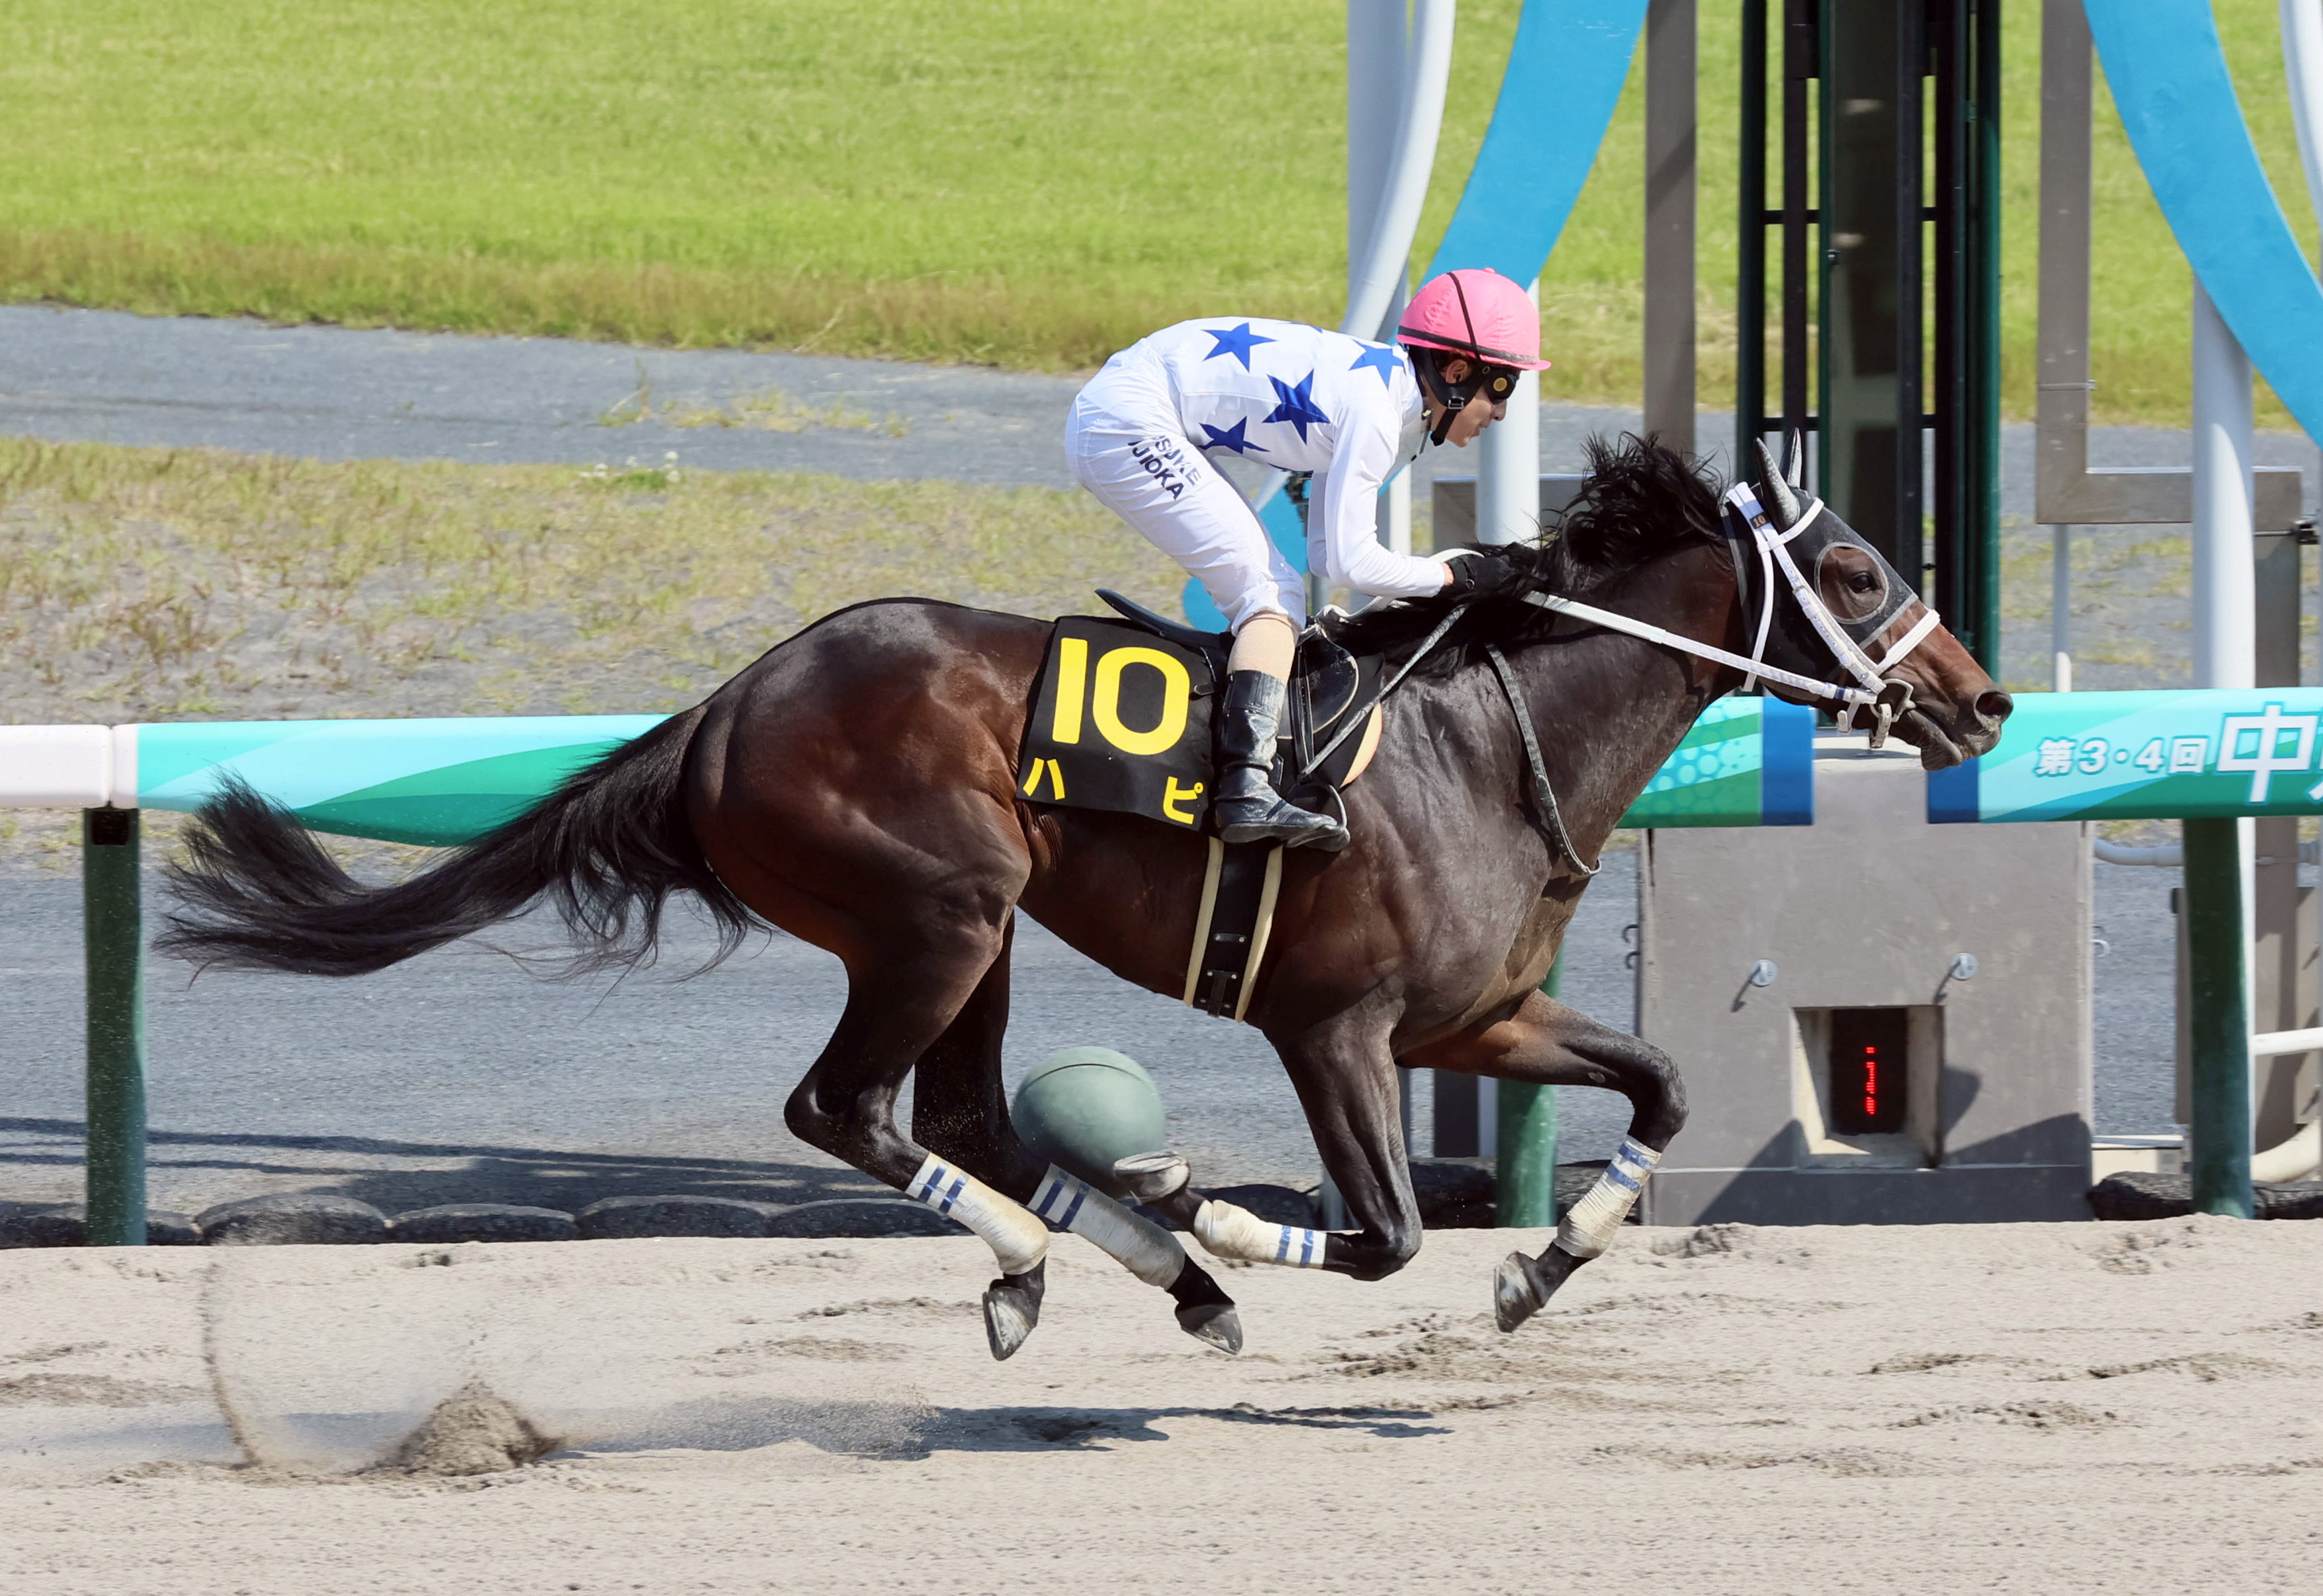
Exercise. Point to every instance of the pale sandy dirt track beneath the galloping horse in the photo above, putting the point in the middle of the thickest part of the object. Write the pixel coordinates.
(2045, 1409)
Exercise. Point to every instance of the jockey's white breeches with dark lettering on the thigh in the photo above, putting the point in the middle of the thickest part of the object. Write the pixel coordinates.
(1128, 447)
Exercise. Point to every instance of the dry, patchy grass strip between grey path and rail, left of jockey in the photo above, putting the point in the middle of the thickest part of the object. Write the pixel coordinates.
(152, 584)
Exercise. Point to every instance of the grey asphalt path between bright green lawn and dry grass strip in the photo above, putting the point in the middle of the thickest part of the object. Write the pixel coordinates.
(343, 394)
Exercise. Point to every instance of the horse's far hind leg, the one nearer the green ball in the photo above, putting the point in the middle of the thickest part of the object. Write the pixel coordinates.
(961, 1114)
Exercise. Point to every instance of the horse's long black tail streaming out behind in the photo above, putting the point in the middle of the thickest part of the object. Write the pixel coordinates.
(607, 849)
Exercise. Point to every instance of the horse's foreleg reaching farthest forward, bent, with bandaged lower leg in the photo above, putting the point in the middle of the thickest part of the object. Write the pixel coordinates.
(1548, 1044)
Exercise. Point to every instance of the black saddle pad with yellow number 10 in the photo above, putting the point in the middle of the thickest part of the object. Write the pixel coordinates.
(1121, 721)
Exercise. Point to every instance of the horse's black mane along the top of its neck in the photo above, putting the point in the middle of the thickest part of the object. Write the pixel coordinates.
(1639, 501)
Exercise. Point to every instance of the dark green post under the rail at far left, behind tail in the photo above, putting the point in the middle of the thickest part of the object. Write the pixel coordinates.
(113, 935)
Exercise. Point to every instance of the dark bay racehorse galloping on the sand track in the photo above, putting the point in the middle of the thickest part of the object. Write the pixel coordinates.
(856, 789)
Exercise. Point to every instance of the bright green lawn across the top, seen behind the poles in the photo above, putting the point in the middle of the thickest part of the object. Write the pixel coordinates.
(1016, 182)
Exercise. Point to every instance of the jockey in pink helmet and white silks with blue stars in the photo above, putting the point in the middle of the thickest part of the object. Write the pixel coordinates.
(1302, 401)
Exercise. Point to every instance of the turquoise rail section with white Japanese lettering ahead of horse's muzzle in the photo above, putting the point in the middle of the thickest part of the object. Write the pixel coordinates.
(2145, 756)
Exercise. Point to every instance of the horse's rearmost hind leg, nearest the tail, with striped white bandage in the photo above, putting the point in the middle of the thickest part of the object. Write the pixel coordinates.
(900, 1005)
